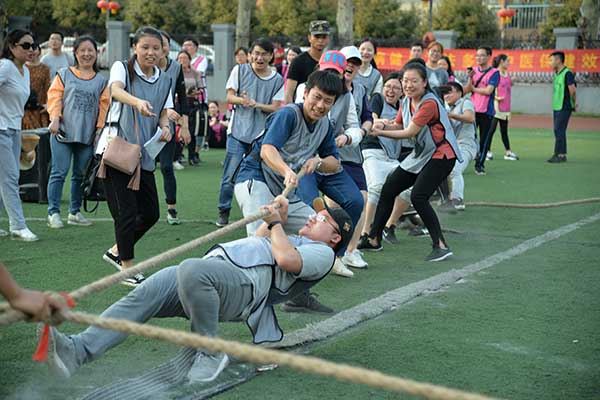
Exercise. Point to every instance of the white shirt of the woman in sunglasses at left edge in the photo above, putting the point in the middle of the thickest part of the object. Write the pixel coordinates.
(14, 92)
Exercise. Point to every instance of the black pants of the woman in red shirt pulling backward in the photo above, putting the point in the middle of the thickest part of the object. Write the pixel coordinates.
(424, 184)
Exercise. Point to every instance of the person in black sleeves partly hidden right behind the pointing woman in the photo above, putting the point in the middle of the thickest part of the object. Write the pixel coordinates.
(174, 71)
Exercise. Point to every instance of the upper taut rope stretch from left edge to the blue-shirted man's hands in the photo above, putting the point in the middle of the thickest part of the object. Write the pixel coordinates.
(11, 316)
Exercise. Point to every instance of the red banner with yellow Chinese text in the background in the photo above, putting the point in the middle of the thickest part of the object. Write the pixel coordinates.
(389, 58)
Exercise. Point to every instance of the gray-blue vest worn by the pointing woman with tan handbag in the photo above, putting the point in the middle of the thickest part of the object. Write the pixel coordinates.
(156, 93)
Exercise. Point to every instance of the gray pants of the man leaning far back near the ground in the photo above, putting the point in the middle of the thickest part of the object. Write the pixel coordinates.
(205, 291)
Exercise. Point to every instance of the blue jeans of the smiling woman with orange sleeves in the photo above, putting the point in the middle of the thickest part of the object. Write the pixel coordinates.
(61, 162)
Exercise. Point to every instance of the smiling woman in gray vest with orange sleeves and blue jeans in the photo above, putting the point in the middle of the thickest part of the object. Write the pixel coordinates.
(77, 103)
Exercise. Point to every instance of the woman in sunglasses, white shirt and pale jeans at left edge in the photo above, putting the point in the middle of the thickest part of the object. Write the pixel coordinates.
(19, 47)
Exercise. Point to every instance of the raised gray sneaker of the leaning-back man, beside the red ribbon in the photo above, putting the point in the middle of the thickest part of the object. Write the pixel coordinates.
(61, 353)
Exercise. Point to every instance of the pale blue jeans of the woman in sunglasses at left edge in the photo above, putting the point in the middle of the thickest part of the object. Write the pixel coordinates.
(10, 152)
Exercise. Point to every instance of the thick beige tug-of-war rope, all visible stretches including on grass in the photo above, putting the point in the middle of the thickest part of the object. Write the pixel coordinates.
(248, 352)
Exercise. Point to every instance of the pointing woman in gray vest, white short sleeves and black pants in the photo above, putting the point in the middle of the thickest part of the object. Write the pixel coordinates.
(141, 95)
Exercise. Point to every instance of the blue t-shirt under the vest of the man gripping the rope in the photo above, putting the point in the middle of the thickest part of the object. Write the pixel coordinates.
(277, 131)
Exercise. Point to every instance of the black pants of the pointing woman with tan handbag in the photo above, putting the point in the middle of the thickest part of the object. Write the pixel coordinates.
(133, 212)
